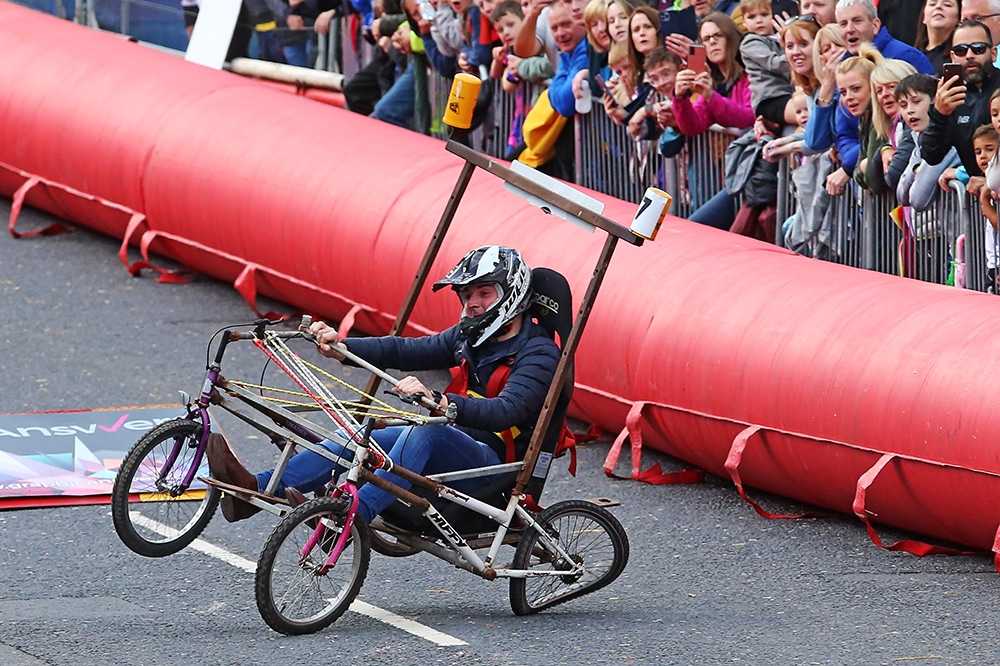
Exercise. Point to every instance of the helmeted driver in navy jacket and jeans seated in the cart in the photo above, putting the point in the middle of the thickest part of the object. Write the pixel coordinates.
(494, 285)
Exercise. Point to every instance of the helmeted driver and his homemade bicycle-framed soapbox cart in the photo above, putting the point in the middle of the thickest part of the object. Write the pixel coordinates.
(313, 563)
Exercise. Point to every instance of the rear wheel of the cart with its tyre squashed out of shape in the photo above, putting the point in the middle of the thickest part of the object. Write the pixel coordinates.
(589, 534)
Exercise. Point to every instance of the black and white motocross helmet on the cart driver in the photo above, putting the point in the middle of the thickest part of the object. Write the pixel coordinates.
(501, 266)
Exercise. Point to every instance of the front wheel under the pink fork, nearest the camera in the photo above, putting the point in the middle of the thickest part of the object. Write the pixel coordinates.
(294, 595)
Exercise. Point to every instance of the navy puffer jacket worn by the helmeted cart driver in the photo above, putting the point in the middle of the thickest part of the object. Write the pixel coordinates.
(535, 357)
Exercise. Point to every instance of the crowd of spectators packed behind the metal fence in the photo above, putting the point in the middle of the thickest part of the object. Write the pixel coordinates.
(855, 93)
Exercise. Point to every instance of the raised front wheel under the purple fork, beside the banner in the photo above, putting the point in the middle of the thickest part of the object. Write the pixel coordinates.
(153, 515)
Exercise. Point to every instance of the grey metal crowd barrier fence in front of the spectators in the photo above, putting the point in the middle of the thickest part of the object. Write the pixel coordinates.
(862, 233)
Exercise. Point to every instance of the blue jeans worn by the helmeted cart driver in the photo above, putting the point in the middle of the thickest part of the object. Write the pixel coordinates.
(426, 450)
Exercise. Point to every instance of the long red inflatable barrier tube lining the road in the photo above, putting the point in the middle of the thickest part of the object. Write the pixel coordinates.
(845, 389)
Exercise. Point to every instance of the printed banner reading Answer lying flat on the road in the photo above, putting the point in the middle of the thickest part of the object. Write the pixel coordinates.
(67, 458)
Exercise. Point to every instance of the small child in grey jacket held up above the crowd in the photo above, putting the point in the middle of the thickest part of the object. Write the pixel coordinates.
(766, 64)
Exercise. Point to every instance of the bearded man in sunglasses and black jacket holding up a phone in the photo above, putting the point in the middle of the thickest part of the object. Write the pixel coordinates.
(962, 102)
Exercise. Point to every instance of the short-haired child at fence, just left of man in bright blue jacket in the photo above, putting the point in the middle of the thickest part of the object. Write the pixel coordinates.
(507, 18)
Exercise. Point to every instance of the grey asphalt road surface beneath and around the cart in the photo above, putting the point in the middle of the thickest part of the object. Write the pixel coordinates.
(709, 582)
